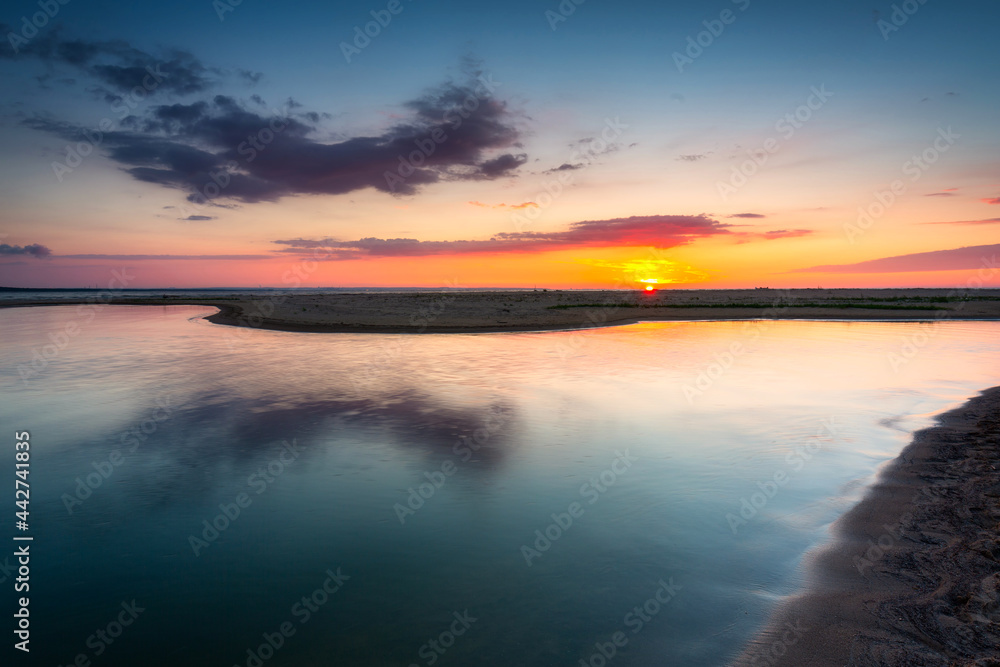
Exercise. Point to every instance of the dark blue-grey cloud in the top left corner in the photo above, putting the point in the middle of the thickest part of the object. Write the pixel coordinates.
(116, 63)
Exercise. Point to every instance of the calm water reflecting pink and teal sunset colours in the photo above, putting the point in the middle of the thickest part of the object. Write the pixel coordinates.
(148, 422)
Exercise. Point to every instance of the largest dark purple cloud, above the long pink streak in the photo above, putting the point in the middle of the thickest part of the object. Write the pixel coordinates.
(221, 149)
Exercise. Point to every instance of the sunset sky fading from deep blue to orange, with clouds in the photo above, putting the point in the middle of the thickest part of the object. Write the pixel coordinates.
(728, 144)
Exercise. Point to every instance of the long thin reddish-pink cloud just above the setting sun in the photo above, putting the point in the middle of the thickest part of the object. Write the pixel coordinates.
(660, 231)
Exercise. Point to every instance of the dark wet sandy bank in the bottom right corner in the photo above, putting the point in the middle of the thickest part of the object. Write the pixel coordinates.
(912, 575)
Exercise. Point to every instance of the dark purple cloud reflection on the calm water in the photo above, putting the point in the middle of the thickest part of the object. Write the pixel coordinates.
(216, 443)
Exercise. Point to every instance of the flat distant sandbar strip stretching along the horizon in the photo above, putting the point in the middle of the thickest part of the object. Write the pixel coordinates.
(544, 310)
